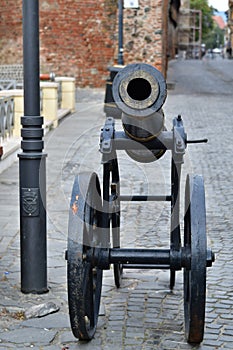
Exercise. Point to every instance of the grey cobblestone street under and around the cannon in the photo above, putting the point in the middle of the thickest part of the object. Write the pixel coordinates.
(143, 314)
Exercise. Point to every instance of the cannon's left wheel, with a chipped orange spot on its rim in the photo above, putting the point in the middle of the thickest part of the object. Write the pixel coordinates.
(84, 236)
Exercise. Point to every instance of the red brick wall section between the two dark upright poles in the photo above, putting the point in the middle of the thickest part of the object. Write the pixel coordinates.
(77, 38)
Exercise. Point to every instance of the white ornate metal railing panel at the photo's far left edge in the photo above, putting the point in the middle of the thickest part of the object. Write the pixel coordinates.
(6, 117)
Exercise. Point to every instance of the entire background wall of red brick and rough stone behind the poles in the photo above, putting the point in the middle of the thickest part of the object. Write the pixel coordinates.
(80, 38)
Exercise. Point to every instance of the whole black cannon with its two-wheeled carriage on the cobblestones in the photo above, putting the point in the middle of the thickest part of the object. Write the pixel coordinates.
(139, 91)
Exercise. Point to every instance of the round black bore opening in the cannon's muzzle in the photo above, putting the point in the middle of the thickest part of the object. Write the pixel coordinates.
(139, 89)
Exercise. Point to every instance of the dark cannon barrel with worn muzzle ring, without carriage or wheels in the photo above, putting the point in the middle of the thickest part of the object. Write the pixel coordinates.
(139, 91)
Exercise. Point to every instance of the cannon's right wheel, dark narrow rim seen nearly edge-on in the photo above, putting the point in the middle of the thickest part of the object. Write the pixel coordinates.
(195, 274)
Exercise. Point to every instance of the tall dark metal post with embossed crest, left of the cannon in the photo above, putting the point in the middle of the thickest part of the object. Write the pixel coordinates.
(32, 165)
